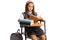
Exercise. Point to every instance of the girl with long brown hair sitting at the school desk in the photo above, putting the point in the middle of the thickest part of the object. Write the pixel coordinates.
(32, 32)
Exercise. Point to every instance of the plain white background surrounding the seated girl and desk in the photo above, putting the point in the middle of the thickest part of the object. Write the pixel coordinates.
(10, 11)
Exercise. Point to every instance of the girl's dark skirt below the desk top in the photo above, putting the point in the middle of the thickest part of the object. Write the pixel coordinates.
(34, 31)
